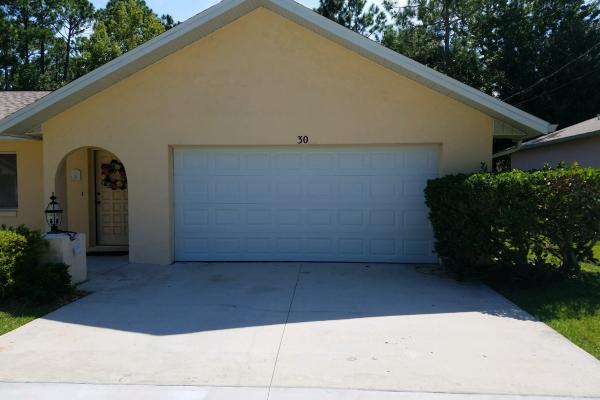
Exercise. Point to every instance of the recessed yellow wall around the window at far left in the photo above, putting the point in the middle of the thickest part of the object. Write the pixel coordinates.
(29, 183)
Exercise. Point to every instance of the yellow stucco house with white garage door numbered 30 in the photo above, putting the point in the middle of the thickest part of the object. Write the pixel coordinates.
(256, 130)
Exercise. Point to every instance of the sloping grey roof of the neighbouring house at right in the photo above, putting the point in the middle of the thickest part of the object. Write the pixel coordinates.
(585, 129)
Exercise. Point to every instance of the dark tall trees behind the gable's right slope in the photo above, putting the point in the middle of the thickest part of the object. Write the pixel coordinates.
(542, 56)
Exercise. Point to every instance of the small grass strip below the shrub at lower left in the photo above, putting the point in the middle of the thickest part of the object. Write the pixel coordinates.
(14, 313)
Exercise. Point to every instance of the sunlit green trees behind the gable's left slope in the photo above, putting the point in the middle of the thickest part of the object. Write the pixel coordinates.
(45, 44)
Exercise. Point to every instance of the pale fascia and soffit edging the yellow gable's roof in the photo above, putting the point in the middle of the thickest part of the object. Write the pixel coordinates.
(227, 11)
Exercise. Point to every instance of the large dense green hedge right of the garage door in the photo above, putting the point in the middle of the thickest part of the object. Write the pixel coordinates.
(522, 221)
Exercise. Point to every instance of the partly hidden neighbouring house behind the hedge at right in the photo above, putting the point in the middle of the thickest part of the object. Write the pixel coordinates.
(578, 143)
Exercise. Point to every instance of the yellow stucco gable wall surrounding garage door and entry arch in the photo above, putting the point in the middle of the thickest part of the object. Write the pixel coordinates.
(261, 80)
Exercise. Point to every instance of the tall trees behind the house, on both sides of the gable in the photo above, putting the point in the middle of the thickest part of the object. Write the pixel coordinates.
(540, 55)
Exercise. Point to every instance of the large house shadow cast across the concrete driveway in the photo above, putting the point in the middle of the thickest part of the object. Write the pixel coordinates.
(195, 297)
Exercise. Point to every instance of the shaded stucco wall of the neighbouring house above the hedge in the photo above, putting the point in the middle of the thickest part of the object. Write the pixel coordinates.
(586, 152)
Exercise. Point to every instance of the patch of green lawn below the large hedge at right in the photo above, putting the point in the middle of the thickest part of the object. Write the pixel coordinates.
(571, 307)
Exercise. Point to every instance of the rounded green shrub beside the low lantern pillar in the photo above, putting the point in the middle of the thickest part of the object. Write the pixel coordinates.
(24, 274)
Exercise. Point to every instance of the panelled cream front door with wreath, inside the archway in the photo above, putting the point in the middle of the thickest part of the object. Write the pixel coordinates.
(111, 205)
